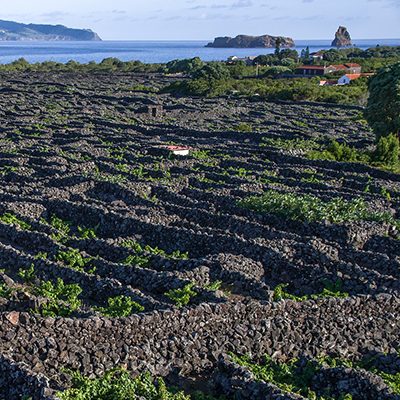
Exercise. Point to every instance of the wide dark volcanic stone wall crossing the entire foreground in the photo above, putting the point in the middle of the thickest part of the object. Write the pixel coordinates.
(193, 339)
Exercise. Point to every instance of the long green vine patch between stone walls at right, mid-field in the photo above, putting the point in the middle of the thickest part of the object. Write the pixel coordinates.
(310, 208)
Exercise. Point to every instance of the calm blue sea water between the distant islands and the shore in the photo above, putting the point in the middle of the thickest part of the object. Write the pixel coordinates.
(147, 51)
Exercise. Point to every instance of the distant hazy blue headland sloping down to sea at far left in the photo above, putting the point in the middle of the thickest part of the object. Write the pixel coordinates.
(15, 31)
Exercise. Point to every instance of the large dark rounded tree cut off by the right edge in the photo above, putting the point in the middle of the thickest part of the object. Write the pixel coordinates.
(383, 109)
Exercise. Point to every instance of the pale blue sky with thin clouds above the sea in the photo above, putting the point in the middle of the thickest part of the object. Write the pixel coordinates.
(205, 19)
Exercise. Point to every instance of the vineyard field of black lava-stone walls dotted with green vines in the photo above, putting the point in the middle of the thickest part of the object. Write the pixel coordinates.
(114, 254)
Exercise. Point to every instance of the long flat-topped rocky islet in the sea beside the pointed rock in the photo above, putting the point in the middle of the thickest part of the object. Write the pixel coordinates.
(244, 41)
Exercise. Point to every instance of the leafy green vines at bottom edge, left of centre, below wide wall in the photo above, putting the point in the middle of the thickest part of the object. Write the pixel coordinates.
(118, 384)
